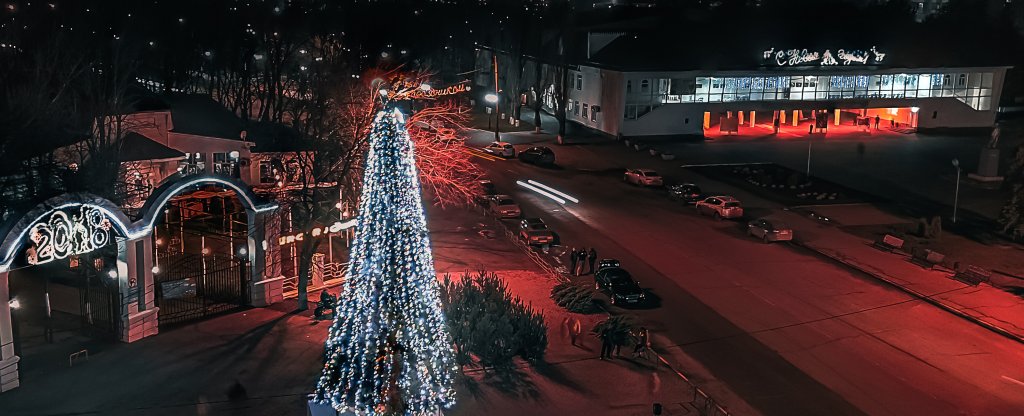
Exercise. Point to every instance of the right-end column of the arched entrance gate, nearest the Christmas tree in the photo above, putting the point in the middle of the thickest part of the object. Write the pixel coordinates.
(265, 289)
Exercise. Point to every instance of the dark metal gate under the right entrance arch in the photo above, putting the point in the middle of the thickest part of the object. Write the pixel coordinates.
(194, 286)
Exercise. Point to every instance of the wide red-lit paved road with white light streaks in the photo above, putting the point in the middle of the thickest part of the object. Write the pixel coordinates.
(792, 334)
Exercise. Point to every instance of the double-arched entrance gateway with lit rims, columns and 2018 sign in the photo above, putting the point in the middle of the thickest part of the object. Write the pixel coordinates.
(75, 224)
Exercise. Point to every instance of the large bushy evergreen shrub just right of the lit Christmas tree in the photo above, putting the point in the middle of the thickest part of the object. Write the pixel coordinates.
(487, 321)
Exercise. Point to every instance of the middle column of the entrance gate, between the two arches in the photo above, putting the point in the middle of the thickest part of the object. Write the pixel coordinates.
(140, 316)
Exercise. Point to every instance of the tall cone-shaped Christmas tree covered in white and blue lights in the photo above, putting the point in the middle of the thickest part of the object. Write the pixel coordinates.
(389, 351)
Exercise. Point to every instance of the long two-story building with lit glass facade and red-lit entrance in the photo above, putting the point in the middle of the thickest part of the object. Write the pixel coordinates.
(641, 86)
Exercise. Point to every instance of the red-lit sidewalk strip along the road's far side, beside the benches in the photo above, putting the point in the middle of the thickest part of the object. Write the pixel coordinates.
(990, 307)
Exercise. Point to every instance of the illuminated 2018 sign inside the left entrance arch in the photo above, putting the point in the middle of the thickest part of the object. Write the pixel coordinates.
(65, 234)
